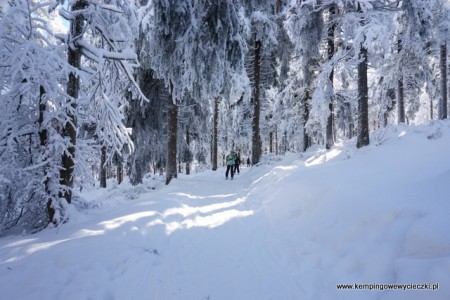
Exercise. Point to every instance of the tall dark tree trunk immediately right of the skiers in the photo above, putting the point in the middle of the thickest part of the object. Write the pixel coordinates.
(256, 140)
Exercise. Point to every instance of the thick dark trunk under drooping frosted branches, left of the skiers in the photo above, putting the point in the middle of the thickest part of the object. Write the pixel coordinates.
(172, 127)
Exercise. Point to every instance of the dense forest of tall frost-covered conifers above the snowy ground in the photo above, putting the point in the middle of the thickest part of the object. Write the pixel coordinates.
(127, 87)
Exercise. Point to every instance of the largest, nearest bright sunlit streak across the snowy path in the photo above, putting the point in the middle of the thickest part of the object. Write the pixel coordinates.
(210, 221)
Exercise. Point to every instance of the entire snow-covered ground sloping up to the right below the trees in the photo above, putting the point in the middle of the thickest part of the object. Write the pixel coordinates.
(294, 227)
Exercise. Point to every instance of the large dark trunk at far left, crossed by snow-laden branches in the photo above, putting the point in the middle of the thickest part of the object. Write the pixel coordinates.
(73, 86)
